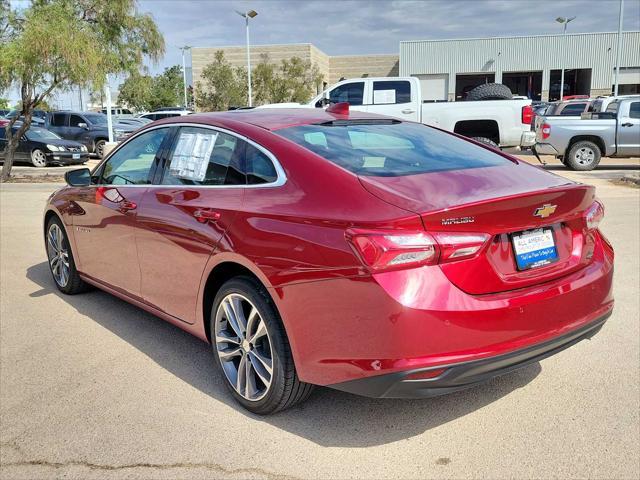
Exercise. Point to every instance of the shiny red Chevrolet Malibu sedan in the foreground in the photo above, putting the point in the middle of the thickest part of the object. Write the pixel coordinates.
(310, 247)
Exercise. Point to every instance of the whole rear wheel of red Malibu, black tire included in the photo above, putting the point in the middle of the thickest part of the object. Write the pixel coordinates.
(245, 357)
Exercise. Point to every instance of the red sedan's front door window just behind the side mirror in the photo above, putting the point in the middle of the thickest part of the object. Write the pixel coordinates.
(131, 164)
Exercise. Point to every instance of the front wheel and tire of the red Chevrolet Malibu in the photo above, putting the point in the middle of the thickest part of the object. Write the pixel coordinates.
(61, 262)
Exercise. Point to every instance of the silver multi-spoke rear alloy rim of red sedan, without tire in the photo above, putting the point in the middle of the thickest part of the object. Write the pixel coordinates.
(244, 347)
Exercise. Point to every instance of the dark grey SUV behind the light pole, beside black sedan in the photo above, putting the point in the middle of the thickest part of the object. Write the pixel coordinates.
(88, 128)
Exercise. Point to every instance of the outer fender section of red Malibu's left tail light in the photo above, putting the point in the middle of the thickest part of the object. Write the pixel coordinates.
(380, 250)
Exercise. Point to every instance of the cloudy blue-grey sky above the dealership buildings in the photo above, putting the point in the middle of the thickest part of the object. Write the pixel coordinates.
(341, 27)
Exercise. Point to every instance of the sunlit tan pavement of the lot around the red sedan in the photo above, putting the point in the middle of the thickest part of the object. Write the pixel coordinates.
(91, 387)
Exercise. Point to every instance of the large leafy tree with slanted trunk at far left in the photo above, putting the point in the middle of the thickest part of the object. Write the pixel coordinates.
(56, 44)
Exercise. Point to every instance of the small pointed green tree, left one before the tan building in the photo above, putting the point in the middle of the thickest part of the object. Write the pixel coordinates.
(222, 85)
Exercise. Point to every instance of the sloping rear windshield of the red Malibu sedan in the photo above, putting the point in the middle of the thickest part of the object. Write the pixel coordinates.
(390, 149)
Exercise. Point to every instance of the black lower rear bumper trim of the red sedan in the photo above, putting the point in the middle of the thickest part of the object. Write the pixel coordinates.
(459, 376)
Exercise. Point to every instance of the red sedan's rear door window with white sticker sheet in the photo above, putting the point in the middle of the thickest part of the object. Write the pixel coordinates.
(203, 156)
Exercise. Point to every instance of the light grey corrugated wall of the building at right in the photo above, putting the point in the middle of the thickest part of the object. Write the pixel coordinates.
(596, 51)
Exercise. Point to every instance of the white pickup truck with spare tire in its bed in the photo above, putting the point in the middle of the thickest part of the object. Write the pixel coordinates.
(503, 122)
